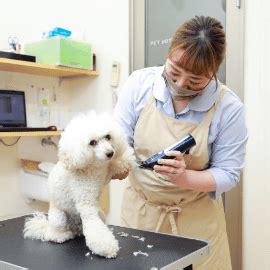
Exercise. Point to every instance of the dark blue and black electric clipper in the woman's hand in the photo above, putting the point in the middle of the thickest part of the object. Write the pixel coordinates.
(184, 145)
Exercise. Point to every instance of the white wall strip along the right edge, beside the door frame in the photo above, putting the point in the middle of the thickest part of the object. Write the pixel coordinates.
(256, 185)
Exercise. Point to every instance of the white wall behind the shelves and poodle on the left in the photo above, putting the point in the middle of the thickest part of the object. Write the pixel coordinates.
(103, 23)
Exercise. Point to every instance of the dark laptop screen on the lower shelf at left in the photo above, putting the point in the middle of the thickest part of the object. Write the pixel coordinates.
(12, 108)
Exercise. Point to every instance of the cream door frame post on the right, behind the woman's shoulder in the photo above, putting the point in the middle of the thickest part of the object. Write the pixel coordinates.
(235, 29)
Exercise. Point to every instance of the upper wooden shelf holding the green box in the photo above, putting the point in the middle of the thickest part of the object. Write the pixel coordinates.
(42, 70)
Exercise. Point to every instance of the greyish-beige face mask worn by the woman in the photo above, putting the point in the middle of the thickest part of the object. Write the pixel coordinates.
(179, 93)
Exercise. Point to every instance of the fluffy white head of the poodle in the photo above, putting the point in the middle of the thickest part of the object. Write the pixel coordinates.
(89, 139)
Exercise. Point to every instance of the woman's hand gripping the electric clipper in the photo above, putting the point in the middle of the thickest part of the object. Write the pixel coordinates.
(175, 168)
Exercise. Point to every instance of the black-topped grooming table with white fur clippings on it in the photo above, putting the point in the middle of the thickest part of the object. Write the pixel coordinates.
(164, 251)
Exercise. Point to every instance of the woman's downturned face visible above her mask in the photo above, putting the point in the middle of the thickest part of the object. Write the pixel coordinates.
(183, 78)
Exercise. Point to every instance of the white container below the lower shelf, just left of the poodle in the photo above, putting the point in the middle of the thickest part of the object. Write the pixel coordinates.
(33, 186)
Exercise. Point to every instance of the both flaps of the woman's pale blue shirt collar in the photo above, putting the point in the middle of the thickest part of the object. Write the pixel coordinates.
(200, 103)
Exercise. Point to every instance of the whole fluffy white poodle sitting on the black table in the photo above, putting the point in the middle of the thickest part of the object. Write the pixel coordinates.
(92, 149)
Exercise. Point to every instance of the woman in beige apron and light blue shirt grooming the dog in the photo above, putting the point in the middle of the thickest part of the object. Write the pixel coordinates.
(157, 107)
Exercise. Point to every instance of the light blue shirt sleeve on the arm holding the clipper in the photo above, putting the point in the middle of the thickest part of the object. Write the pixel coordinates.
(228, 150)
